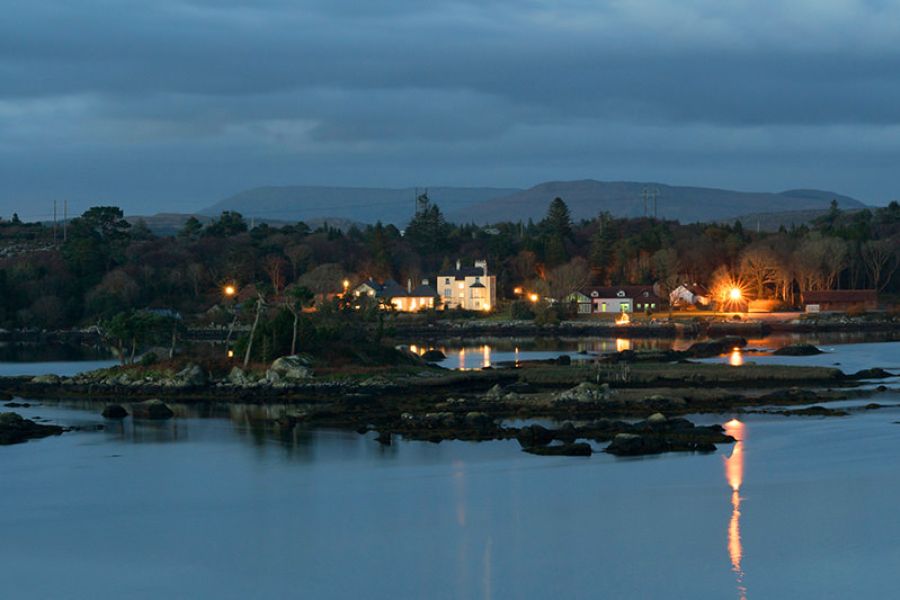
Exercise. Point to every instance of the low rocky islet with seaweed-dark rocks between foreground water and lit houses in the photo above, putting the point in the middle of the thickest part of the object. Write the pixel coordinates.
(635, 401)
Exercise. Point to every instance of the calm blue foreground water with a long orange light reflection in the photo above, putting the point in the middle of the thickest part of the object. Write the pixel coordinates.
(223, 507)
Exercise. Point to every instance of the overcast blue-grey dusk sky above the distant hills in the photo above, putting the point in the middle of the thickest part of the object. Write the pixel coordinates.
(171, 105)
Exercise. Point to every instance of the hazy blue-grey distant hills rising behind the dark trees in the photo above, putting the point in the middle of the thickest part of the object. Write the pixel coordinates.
(585, 198)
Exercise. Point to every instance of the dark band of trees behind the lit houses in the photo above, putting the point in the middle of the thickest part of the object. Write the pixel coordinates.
(107, 265)
